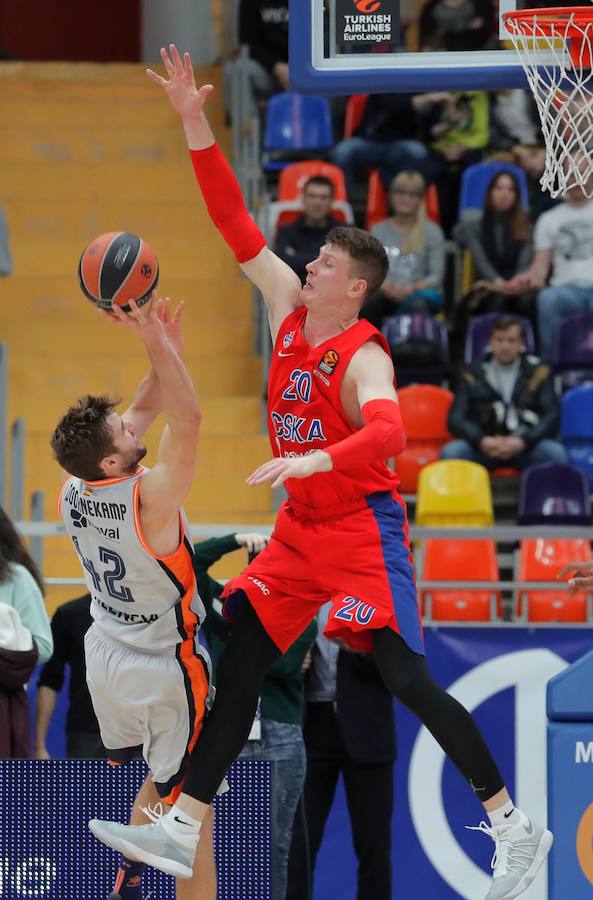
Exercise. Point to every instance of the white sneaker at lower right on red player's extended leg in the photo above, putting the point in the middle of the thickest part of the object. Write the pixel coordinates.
(520, 850)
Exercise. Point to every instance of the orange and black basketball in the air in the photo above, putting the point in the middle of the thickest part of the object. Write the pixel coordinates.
(118, 267)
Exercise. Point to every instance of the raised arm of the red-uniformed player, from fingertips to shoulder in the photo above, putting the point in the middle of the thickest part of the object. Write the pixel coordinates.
(280, 286)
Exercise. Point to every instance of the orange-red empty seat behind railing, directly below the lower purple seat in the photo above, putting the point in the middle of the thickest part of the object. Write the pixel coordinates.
(541, 560)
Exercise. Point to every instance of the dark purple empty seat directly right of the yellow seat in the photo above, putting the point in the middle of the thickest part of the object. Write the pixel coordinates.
(554, 494)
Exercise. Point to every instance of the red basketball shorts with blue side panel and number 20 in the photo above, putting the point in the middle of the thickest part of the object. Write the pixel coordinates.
(356, 555)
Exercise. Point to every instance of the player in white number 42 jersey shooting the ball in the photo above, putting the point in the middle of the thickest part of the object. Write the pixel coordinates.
(148, 677)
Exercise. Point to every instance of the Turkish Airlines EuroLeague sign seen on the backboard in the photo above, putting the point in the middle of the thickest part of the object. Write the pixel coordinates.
(364, 25)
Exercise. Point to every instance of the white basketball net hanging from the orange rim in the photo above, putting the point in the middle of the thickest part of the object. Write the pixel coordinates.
(563, 88)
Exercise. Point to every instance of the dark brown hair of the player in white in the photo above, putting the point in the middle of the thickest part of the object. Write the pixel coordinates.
(82, 438)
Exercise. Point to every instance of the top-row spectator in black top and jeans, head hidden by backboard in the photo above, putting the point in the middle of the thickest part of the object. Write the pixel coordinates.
(387, 138)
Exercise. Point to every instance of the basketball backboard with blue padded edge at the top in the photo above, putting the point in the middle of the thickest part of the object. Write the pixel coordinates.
(374, 46)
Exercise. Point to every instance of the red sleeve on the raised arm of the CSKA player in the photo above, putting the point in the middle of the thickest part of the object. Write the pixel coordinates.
(225, 203)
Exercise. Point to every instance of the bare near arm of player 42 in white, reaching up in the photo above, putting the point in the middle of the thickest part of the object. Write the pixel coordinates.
(164, 488)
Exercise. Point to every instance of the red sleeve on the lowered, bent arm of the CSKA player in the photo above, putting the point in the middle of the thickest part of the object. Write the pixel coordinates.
(381, 437)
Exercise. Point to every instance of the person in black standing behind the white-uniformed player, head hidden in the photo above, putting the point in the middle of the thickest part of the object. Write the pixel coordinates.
(69, 625)
